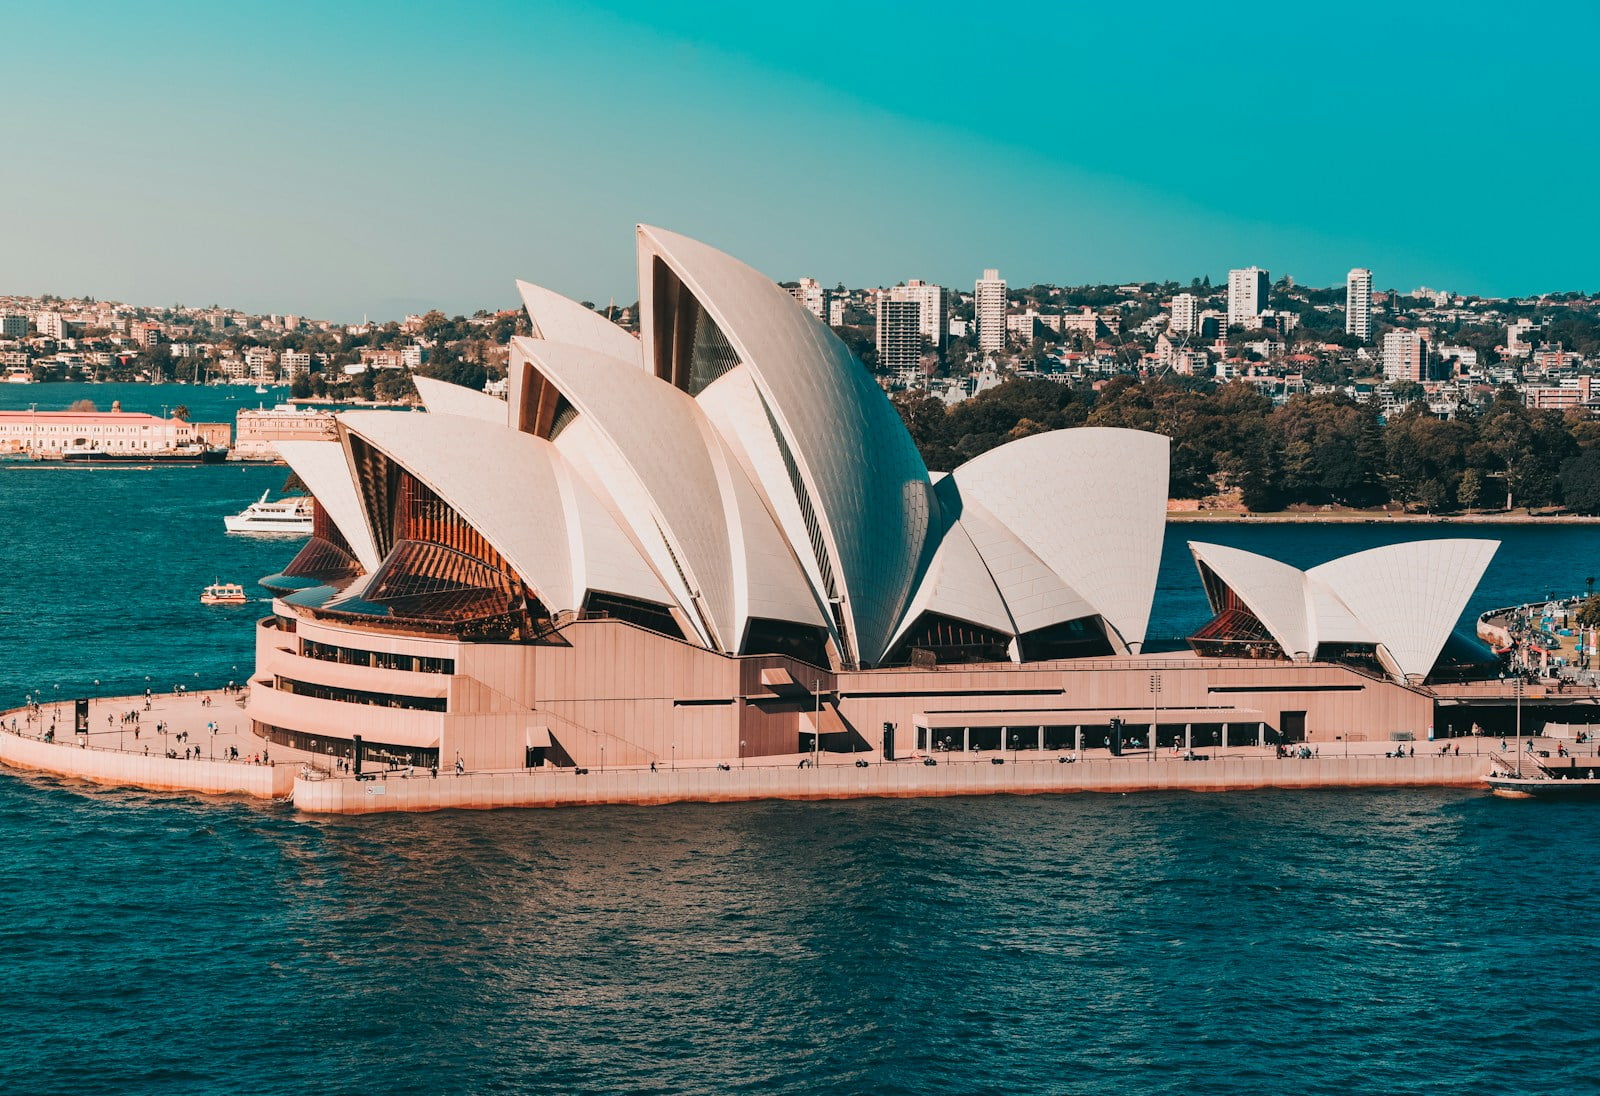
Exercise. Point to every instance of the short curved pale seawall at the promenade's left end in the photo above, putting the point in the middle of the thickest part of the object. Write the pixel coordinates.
(150, 772)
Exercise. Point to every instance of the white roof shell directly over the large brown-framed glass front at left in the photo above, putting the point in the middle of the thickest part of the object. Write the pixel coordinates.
(514, 490)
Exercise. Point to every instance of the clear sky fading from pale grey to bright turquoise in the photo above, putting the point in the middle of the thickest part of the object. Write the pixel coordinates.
(345, 159)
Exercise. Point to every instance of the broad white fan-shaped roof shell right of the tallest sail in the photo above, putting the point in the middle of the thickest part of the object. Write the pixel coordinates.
(1092, 505)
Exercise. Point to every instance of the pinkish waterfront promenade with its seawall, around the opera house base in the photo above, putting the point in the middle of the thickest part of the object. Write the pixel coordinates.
(114, 754)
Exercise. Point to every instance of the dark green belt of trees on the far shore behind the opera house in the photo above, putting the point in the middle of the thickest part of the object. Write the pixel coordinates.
(1314, 450)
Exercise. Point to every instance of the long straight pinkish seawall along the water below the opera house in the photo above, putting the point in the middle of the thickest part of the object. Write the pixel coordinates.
(562, 788)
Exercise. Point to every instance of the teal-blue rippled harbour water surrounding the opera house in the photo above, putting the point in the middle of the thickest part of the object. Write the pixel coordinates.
(1377, 942)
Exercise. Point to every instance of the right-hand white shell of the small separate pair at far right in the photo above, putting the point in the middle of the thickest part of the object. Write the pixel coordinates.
(1410, 596)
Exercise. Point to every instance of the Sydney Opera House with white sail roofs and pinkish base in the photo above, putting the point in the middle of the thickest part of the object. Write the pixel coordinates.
(718, 542)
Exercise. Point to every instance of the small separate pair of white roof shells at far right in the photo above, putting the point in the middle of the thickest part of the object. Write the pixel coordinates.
(1402, 598)
